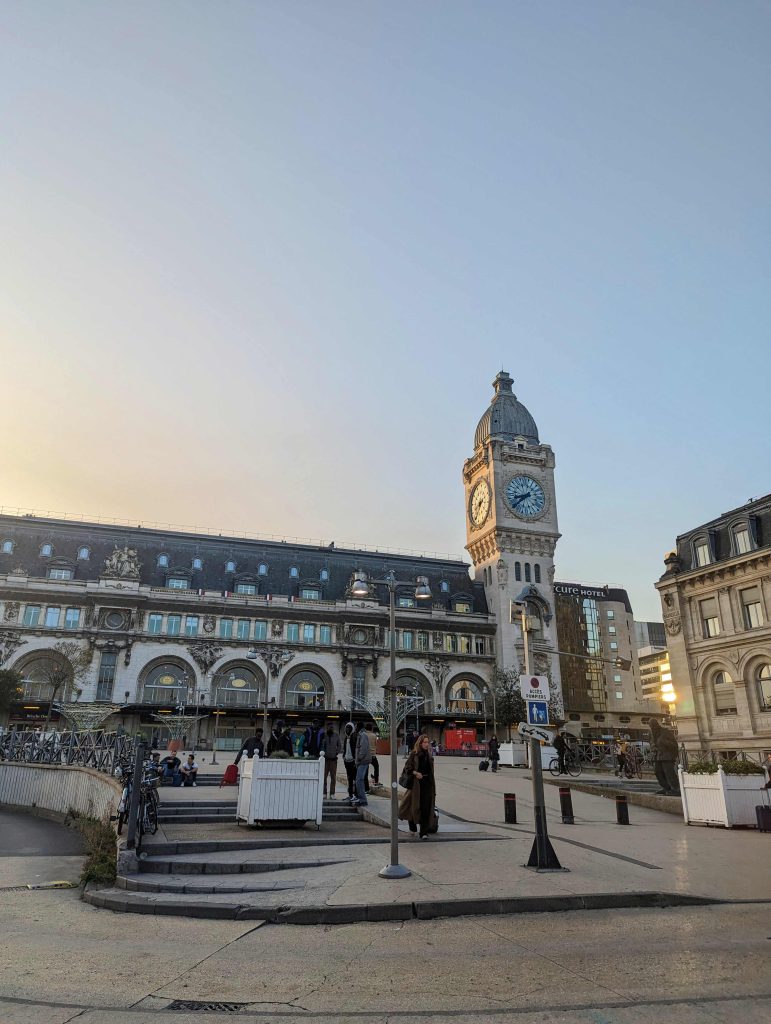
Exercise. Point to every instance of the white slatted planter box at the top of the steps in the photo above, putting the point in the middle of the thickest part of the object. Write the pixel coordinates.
(290, 790)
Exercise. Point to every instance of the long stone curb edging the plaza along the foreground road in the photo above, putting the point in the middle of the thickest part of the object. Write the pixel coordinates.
(397, 912)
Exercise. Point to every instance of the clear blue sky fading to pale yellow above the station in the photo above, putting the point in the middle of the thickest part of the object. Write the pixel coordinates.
(262, 262)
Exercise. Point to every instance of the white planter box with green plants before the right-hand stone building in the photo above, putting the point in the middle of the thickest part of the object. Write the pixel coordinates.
(720, 799)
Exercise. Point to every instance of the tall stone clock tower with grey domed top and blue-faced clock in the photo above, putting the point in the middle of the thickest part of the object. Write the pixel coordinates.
(511, 529)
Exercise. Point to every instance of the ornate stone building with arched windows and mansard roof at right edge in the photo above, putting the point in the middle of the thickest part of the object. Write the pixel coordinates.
(716, 599)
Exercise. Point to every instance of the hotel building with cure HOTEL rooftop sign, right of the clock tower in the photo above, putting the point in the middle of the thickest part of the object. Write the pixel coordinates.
(602, 682)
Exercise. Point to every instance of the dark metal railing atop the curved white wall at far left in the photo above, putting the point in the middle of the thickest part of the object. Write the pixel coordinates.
(102, 751)
